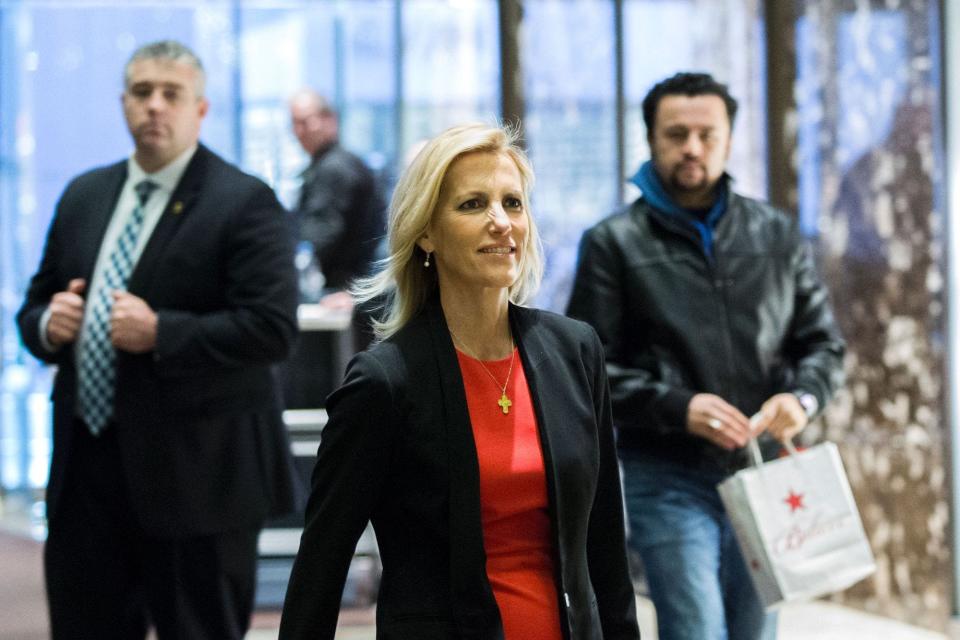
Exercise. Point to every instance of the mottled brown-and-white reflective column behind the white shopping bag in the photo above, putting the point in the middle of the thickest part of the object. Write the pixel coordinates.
(871, 194)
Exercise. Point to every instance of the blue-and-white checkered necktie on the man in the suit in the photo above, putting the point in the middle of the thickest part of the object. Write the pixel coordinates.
(96, 370)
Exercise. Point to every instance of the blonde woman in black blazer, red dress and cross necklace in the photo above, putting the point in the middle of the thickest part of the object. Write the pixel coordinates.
(476, 435)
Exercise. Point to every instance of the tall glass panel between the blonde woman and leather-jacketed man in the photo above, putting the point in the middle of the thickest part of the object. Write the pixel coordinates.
(570, 127)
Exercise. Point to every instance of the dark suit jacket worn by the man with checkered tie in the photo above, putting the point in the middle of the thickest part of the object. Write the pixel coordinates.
(198, 419)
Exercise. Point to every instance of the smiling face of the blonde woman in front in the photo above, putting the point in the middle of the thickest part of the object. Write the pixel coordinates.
(479, 228)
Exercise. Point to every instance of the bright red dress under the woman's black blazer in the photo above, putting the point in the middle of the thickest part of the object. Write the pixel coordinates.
(517, 534)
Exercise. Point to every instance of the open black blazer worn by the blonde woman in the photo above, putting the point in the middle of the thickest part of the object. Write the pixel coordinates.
(398, 450)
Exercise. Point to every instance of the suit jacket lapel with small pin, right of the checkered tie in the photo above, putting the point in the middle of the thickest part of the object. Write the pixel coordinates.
(180, 204)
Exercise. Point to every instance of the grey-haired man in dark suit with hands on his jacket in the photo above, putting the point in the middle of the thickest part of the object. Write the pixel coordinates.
(165, 294)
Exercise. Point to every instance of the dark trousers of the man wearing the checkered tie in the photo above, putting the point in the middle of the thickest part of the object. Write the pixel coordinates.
(107, 578)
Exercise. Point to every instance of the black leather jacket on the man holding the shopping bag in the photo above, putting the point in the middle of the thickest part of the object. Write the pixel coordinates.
(753, 322)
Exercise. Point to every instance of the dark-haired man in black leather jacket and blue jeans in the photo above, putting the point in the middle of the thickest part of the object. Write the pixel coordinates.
(716, 328)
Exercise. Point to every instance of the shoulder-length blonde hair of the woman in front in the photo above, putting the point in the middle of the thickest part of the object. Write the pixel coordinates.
(403, 284)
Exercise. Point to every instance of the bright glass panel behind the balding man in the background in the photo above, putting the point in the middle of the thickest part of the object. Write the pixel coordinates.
(345, 51)
